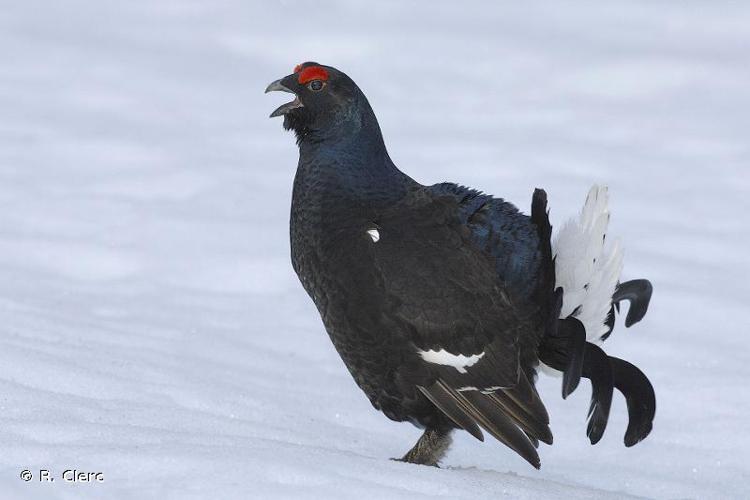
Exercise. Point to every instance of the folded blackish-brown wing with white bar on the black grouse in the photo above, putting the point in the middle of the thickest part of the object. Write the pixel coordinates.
(461, 323)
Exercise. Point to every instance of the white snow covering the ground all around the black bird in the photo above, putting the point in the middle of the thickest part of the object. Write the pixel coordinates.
(153, 329)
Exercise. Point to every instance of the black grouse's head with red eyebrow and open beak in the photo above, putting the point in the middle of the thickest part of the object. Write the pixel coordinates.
(325, 100)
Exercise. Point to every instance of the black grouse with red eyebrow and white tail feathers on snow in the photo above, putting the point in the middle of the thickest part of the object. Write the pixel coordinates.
(445, 303)
